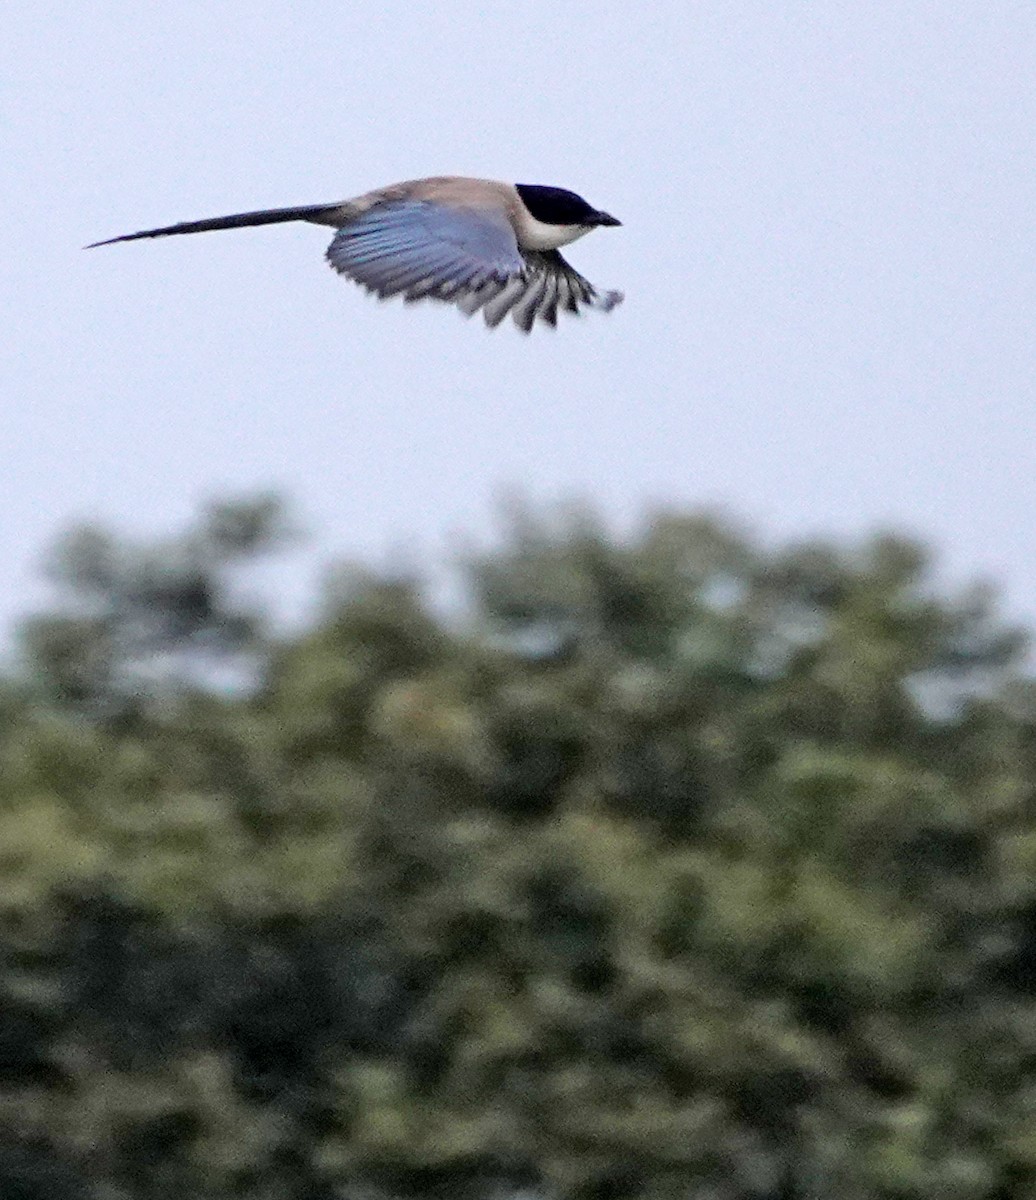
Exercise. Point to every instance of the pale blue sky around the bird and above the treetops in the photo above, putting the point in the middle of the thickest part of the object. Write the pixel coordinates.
(828, 257)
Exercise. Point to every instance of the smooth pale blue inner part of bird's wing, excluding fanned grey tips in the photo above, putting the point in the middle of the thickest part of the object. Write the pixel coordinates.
(422, 249)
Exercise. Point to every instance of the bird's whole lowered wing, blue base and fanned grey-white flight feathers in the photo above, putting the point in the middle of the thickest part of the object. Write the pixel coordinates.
(422, 250)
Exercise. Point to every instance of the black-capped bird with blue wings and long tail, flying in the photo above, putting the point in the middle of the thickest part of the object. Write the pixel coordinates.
(478, 244)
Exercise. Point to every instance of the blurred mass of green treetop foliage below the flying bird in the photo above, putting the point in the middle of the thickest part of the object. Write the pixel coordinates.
(675, 867)
